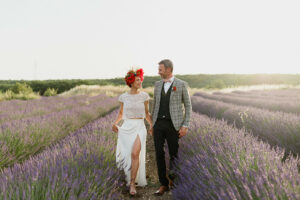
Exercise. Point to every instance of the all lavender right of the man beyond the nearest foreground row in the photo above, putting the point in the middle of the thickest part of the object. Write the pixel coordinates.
(278, 128)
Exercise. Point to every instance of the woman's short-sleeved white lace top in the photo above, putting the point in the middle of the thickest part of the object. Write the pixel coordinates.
(134, 106)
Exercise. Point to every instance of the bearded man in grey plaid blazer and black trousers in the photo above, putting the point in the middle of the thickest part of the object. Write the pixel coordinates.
(169, 121)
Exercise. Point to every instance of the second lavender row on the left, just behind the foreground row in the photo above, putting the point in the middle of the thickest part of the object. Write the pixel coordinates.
(21, 138)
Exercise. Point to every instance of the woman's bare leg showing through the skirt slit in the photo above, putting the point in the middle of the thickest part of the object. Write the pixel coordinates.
(136, 149)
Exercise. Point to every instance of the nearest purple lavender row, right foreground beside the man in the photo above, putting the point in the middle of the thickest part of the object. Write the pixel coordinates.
(218, 161)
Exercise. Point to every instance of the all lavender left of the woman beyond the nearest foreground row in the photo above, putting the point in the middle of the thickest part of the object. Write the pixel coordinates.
(44, 122)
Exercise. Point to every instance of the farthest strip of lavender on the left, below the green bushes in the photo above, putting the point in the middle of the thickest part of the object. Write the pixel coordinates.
(19, 109)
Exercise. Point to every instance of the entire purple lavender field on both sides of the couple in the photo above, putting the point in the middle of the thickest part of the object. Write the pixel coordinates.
(63, 148)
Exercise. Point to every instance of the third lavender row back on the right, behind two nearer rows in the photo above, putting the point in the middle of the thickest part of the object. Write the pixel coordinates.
(285, 105)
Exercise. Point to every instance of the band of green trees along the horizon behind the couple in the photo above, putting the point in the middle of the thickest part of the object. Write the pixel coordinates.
(216, 81)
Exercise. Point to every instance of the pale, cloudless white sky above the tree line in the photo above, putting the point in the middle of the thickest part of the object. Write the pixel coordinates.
(67, 39)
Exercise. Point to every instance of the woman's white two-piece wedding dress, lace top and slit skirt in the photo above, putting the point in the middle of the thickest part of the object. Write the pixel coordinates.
(133, 107)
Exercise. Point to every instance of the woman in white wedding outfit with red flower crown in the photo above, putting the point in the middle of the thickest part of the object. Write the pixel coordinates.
(131, 144)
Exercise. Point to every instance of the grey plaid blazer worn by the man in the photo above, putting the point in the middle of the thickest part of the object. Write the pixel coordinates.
(180, 103)
